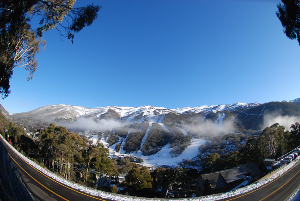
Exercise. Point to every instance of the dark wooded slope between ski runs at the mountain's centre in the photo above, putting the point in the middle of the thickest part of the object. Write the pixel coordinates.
(131, 137)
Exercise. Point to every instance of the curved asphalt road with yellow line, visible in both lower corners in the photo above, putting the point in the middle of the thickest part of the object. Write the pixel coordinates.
(45, 188)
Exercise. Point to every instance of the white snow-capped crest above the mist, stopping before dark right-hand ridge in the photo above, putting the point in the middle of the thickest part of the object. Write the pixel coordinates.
(70, 112)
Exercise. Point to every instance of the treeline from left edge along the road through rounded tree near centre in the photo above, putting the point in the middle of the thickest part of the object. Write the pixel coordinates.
(75, 158)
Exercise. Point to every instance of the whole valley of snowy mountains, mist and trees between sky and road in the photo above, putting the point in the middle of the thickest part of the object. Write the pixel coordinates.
(190, 141)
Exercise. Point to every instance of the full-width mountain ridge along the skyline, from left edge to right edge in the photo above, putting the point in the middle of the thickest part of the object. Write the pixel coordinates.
(67, 113)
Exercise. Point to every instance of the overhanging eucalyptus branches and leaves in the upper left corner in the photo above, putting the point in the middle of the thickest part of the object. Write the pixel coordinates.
(21, 39)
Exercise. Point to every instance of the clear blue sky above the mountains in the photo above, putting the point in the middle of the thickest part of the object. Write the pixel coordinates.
(165, 53)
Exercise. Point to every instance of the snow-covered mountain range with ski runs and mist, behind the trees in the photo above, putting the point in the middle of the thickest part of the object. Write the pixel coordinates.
(156, 132)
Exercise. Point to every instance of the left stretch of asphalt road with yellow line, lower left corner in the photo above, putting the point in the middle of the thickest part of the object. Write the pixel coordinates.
(43, 187)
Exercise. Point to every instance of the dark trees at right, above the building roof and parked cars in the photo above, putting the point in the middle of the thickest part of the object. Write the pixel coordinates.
(272, 143)
